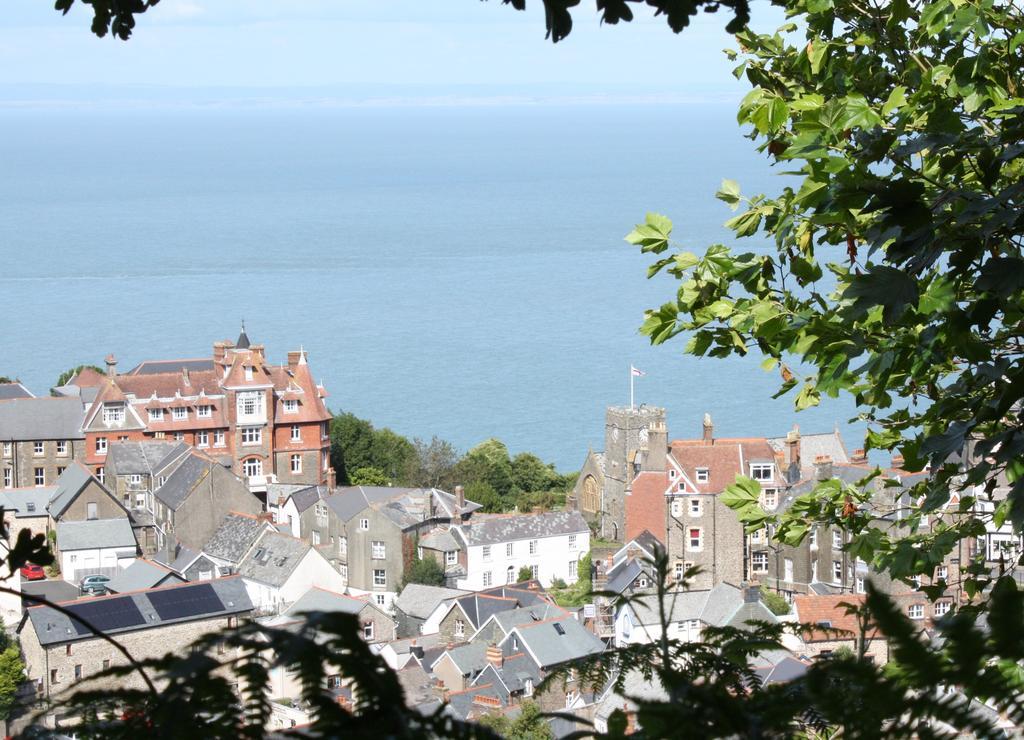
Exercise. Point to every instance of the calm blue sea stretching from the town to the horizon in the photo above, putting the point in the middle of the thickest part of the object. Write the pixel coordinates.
(451, 271)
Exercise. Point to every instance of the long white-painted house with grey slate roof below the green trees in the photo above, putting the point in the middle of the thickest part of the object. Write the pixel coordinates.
(497, 548)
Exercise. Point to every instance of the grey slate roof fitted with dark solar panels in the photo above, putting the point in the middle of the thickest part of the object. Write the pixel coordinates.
(142, 611)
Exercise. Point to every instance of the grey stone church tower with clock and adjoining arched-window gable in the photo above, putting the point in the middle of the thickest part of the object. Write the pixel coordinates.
(601, 490)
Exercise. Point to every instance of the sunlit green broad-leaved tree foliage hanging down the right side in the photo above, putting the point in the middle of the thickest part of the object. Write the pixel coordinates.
(892, 270)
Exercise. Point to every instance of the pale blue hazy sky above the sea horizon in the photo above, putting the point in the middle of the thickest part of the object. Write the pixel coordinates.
(356, 51)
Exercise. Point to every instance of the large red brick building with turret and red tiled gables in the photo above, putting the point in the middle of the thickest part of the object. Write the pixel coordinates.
(269, 423)
